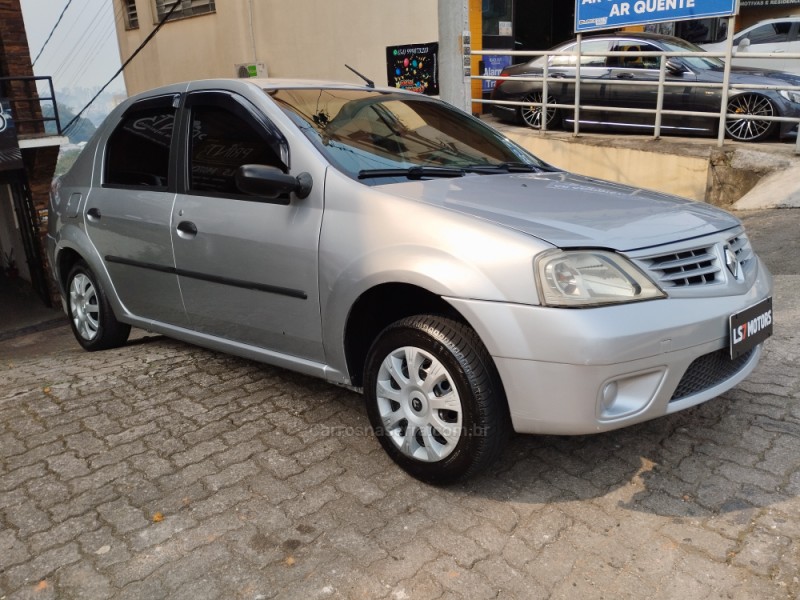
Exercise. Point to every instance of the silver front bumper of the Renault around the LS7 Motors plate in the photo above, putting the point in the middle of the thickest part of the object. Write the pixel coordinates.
(580, 371)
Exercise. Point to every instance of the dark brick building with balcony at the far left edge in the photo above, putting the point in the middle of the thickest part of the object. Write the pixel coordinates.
(28, 159)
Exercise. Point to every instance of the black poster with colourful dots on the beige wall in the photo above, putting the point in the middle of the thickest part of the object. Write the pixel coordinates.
(414, 67)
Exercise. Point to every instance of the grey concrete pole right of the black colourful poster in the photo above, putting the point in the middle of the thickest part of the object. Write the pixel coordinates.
(454, 60)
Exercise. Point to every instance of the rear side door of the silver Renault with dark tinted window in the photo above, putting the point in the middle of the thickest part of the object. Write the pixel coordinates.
(128, 214)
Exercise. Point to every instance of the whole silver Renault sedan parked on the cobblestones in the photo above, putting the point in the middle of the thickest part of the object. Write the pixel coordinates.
(388, 242)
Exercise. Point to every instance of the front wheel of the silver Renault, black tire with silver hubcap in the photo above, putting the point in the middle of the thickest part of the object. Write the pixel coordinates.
(468, 431)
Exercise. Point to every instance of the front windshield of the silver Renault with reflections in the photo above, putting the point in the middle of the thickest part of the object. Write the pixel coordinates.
(362, 131)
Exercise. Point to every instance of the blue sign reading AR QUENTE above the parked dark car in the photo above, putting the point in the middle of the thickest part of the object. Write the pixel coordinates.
(609, 14)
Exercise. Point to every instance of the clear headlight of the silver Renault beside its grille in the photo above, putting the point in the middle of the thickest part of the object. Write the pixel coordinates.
(581, 278)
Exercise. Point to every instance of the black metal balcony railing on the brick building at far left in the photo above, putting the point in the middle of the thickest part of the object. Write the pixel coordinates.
(27, 96)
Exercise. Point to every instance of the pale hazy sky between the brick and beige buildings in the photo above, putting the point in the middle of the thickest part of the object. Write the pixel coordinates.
(83, 52)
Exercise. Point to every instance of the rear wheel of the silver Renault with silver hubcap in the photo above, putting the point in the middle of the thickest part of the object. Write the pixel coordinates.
(90, 315)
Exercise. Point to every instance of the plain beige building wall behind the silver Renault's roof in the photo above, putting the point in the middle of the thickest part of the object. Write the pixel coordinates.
(299, 38)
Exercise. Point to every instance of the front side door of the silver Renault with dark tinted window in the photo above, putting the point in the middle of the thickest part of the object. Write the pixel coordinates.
(247, 265)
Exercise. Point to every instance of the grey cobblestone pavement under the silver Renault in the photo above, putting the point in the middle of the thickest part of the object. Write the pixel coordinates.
(161, 470)
